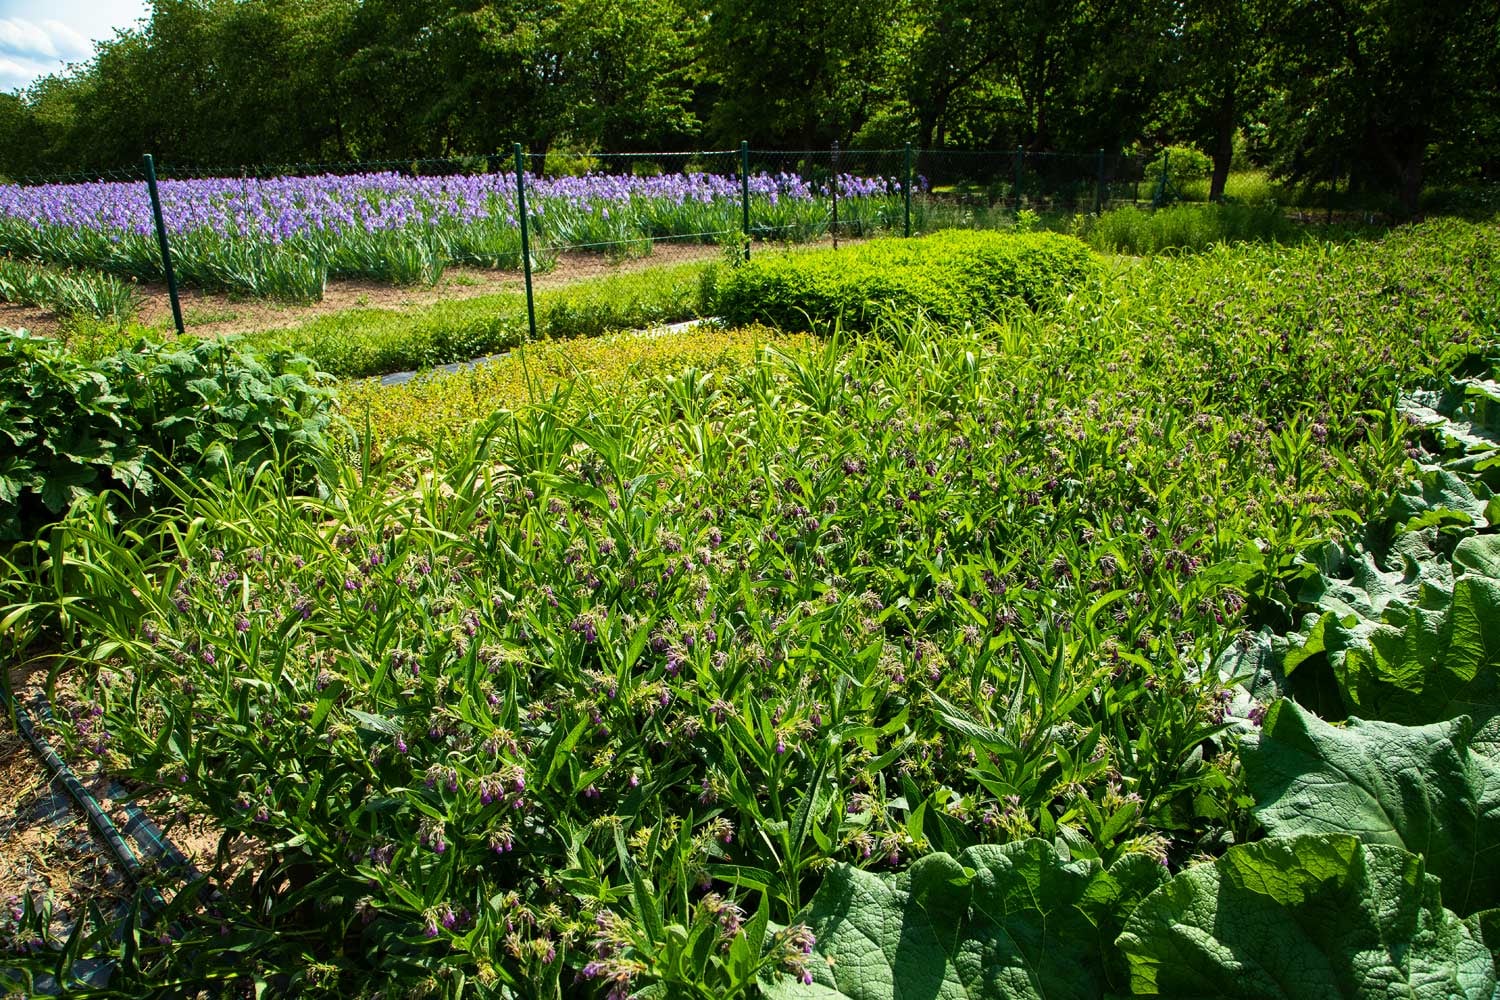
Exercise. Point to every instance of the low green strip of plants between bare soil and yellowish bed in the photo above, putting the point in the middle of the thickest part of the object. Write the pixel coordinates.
(367, 343)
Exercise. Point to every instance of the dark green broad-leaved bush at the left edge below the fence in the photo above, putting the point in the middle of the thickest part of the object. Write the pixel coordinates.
(77, 428)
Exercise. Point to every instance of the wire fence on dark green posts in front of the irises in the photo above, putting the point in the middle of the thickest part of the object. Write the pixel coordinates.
(605, 239)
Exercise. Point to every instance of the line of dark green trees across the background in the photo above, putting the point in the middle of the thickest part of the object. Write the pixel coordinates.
(1387, 94)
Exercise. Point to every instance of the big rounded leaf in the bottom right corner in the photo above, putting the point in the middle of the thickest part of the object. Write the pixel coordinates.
(1312, 917)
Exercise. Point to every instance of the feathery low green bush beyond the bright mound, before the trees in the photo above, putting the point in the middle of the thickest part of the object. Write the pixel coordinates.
(1187, 229)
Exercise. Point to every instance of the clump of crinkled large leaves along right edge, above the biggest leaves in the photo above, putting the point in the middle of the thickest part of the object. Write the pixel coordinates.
(1405, 621)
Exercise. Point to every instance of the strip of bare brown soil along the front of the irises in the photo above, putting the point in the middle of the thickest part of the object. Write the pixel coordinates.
(214, 314)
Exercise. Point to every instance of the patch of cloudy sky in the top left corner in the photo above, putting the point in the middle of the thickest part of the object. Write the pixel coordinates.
(41, 37)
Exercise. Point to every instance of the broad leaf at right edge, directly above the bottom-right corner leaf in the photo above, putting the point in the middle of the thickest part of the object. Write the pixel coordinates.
(1420, 788)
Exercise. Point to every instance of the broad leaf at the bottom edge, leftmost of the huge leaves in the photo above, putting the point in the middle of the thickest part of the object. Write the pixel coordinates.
(1010, 921)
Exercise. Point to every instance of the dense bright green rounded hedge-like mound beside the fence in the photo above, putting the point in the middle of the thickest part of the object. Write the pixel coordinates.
(952, 278)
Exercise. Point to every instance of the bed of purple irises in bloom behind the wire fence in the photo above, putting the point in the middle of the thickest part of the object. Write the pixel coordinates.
(286, 238)
